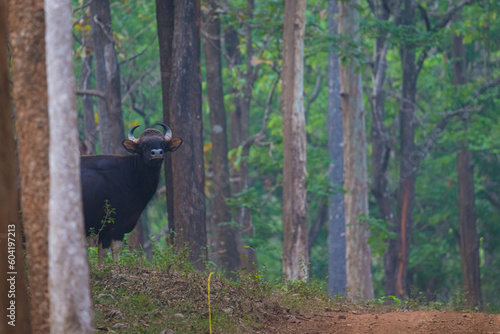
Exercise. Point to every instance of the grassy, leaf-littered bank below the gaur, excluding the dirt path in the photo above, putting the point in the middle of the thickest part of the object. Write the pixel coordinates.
(166, 294)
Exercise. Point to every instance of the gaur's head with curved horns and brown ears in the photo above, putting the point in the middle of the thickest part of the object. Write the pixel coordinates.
(152, 144)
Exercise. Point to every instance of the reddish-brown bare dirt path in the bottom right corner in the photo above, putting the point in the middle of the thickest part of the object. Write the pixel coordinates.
(388, 323)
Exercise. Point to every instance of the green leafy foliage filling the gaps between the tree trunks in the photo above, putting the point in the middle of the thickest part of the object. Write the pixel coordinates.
(434, 259)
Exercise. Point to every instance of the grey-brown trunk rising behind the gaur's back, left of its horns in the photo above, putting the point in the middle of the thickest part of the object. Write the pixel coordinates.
(107, 78)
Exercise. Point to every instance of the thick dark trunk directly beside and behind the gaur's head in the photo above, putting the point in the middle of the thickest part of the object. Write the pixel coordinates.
(186, 121)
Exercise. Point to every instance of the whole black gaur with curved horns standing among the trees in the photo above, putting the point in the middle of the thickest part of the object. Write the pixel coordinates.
(126, 183)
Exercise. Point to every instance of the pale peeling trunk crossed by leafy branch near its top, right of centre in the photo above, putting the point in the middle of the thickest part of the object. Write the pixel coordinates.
(358, 254)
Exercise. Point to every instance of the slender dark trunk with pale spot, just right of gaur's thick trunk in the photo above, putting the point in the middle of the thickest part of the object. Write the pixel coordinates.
(225, 247)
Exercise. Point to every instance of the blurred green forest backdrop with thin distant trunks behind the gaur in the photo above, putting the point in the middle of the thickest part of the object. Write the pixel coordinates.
(450, 116)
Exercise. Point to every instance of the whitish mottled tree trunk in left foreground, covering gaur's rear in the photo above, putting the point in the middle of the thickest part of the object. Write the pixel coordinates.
(69, 279)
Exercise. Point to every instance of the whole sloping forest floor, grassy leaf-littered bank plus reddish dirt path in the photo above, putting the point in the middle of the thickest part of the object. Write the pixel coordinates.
(170, 298)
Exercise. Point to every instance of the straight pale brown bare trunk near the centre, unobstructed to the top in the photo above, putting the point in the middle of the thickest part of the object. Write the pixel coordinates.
(295, 250)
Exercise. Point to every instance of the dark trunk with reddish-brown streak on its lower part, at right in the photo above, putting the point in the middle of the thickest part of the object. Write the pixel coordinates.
(410, 157)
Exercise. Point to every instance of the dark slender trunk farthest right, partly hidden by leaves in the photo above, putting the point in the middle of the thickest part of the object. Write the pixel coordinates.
(469, 241)
